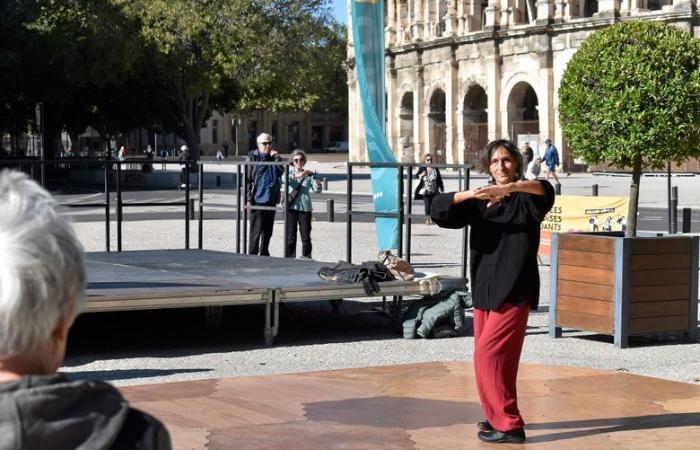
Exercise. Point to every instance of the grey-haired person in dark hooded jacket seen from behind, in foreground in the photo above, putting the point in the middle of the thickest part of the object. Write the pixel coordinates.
(42, 279)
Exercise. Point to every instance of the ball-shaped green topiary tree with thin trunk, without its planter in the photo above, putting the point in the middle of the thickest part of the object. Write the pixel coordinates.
(630, 97)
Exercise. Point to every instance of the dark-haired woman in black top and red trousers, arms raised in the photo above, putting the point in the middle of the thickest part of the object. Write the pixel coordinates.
(505, 219)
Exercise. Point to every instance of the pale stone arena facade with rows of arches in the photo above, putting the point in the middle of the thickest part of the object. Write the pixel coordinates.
(460, 73)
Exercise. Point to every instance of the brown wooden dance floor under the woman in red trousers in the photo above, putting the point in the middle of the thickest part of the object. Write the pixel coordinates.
(422, 406)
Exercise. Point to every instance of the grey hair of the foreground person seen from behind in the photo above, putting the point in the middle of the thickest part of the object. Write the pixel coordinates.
(42, 275)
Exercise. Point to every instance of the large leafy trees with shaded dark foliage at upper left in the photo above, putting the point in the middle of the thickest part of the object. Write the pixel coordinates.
(164, 64)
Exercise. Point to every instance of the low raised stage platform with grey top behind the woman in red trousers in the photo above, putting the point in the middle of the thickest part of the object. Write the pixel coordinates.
(158, 279)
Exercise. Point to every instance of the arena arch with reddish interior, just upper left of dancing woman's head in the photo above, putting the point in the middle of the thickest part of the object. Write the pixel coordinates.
(475, 121)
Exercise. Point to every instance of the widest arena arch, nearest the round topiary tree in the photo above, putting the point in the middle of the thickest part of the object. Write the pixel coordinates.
(523, 115)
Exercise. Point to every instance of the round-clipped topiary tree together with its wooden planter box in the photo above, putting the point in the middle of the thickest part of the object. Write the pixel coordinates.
(630, 97)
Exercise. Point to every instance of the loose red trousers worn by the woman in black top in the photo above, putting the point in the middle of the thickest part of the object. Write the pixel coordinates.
(498, 341)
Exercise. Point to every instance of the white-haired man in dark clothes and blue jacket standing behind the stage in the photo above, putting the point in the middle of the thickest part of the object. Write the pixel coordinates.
(264, 190)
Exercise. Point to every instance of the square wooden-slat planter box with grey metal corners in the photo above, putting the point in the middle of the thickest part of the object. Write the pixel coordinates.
(624, 286)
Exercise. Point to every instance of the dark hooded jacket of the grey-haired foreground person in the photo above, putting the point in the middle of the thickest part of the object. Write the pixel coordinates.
(52, 412)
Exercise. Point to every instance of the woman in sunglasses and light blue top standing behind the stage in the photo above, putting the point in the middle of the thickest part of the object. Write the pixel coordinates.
(302, 182)
